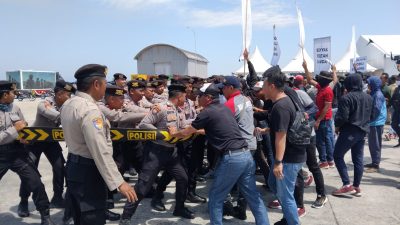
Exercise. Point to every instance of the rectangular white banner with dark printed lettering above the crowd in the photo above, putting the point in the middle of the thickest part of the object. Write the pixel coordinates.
(322, 54)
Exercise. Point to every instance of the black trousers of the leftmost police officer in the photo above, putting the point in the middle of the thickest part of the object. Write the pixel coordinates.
(18, 161)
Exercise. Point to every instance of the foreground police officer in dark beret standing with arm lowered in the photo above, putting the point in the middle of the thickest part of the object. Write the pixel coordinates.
(90, 166)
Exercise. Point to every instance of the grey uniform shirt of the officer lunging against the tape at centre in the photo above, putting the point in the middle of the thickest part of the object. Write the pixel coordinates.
(168, 116)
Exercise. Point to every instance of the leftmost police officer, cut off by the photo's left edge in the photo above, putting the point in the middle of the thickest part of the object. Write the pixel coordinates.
(12, 153)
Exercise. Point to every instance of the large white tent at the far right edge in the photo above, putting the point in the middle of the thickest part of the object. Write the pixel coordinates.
(377, 48)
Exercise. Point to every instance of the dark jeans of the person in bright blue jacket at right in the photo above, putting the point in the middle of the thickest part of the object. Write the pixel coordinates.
(375, 143)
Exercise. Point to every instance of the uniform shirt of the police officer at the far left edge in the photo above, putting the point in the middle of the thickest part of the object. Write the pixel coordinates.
(8, 133)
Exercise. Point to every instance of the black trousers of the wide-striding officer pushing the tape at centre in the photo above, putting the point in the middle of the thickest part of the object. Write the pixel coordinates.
(159, 157)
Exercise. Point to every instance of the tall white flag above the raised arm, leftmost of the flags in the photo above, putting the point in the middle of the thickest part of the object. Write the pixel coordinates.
(246, 25)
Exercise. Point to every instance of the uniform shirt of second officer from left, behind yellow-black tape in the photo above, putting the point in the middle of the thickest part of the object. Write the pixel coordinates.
(47, 117)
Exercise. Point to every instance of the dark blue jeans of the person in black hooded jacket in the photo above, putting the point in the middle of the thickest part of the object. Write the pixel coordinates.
(347, 140)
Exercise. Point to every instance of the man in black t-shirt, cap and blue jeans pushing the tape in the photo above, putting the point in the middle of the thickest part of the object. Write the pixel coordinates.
(236, 164)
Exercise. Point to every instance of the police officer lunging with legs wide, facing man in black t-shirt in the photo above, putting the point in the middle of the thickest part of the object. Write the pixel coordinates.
(162, 155)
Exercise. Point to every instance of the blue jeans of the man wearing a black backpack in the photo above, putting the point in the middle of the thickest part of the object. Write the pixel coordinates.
(284, 191)
